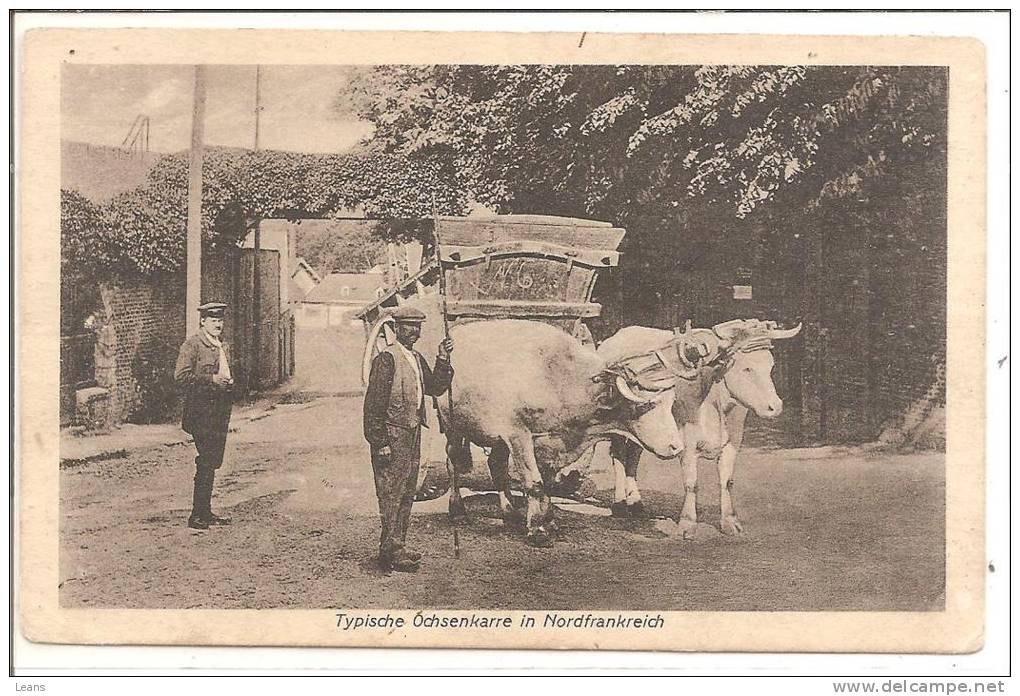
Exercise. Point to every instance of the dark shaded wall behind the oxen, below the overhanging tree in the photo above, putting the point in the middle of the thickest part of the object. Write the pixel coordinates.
(868, 278)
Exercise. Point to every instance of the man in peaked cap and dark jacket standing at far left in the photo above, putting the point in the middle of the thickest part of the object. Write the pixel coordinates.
(203, 374)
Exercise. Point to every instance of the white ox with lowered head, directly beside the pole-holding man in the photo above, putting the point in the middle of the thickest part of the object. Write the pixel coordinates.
(531, 391)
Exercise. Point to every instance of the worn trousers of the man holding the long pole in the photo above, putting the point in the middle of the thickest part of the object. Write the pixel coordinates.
(396, 484)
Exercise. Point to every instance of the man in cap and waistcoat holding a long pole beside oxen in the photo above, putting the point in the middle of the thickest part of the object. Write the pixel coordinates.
(395, 411)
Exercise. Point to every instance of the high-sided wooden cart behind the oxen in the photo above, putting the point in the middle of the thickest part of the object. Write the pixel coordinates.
(538, 268)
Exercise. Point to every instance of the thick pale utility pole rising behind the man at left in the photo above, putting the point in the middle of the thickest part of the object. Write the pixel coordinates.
(194, 259)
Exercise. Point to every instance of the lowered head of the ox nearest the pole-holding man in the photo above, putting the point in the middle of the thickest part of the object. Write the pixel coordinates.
(641, 407)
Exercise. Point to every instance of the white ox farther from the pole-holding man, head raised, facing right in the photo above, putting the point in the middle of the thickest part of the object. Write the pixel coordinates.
(712, 405)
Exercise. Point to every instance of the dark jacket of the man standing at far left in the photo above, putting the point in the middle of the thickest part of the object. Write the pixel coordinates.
(207, 406)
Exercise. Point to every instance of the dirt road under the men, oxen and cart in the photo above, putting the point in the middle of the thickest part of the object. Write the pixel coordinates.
(851, 531)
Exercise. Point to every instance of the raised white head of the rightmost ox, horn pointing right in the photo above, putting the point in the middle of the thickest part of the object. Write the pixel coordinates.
(747, 344)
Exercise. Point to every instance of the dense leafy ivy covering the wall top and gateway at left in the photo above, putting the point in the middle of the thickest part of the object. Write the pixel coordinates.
(144, 232)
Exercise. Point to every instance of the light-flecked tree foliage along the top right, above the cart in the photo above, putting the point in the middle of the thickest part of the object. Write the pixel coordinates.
(605, 140)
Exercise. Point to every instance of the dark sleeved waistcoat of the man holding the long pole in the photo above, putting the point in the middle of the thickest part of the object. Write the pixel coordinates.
(390, 400)
